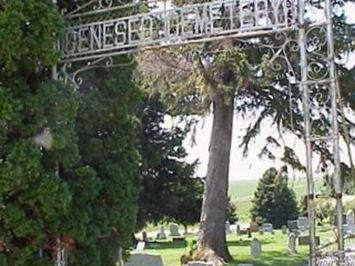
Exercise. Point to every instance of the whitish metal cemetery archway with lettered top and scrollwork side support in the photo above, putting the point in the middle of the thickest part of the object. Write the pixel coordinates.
(98, 32)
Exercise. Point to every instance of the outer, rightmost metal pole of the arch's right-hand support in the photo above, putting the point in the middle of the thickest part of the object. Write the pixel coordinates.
(335, 132)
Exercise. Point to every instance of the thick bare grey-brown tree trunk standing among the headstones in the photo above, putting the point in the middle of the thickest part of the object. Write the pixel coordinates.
(214, 209)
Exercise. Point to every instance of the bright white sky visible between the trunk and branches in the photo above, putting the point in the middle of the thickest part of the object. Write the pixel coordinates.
(251, 167)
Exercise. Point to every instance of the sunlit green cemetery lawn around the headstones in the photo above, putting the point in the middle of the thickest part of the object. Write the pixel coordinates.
(273, 250)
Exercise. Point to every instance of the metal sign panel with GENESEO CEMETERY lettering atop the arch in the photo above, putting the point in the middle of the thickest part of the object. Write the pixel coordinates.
(173, 26)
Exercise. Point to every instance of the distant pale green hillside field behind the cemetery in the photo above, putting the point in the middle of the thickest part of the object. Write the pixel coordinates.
(242, 192)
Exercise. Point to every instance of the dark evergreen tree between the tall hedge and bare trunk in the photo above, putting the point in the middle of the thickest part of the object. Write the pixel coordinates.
(169, 190)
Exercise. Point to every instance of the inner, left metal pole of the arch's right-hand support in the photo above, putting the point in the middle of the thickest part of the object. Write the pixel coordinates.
(307, 133)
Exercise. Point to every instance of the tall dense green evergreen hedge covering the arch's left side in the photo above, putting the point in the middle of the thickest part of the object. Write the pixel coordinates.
(83, 189)
